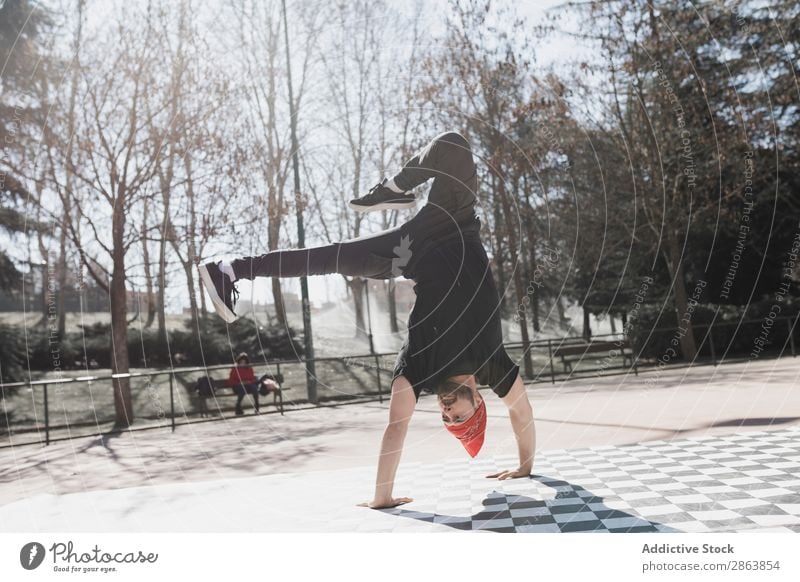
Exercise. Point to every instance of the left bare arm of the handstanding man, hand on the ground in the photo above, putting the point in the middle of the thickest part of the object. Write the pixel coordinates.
(401, 407)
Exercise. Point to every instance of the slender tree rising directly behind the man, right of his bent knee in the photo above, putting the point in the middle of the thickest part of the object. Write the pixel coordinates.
(486, 81)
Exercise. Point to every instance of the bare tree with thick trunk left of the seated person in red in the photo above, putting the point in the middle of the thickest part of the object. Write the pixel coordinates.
(114, 164)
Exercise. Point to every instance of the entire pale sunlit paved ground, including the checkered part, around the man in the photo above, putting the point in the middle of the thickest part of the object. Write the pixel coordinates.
(306, 471)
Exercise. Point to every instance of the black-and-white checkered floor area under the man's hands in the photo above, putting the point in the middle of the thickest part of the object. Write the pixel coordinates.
(741, 482)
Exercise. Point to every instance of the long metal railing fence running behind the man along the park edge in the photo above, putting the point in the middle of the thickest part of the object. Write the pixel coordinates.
(50, 409)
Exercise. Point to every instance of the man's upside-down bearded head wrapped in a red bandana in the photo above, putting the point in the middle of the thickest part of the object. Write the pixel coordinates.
(463, 411)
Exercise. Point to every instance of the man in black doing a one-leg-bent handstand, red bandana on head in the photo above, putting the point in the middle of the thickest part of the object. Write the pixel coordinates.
(454, 341)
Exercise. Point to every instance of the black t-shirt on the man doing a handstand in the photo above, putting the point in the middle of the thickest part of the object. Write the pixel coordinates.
(454, 326)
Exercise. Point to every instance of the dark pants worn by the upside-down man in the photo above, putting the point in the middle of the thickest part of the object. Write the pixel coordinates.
(451, 200)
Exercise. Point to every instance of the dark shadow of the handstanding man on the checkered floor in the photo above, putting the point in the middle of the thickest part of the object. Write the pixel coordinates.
(569, 511)
